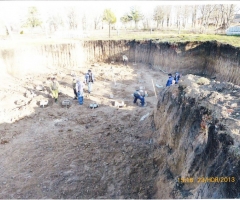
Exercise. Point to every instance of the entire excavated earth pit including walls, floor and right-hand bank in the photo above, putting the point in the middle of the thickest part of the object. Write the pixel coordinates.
(191, 129)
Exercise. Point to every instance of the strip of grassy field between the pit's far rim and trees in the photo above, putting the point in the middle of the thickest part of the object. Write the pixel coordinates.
(123, 35)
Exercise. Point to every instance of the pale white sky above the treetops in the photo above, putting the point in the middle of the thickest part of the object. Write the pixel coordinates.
(10, 10)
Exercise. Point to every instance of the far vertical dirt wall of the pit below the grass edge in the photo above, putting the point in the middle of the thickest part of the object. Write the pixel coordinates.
(211, 59)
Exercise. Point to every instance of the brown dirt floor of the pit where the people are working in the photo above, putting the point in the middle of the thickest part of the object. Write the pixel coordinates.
(77, 152)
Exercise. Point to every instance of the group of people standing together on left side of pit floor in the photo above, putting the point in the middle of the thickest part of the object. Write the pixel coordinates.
(77, 86)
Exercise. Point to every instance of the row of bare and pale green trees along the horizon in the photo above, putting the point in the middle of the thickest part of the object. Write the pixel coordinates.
(163, 16)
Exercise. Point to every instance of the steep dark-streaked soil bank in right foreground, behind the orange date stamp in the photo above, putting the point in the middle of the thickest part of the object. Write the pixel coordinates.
(197, 137)
